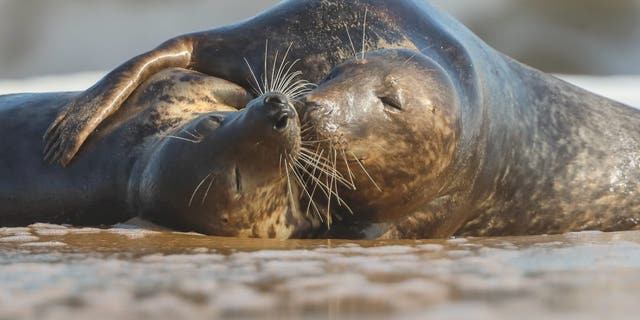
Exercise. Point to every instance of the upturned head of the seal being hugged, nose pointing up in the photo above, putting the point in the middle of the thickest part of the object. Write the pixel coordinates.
(230, 180)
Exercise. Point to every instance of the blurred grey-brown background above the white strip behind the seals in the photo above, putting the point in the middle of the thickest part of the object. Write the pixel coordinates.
(594, 37)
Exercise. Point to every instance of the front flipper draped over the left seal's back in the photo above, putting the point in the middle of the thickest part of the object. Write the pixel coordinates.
(84, 114)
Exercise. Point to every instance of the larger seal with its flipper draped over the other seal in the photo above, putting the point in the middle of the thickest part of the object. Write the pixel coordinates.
(500, 149)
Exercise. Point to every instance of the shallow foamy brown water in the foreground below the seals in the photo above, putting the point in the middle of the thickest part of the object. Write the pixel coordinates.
(55, 272)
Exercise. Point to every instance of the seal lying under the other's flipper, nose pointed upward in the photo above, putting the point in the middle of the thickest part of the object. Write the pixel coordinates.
(178, 154)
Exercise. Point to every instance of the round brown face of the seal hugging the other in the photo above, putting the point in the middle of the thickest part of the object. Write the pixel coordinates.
(393, 117)
